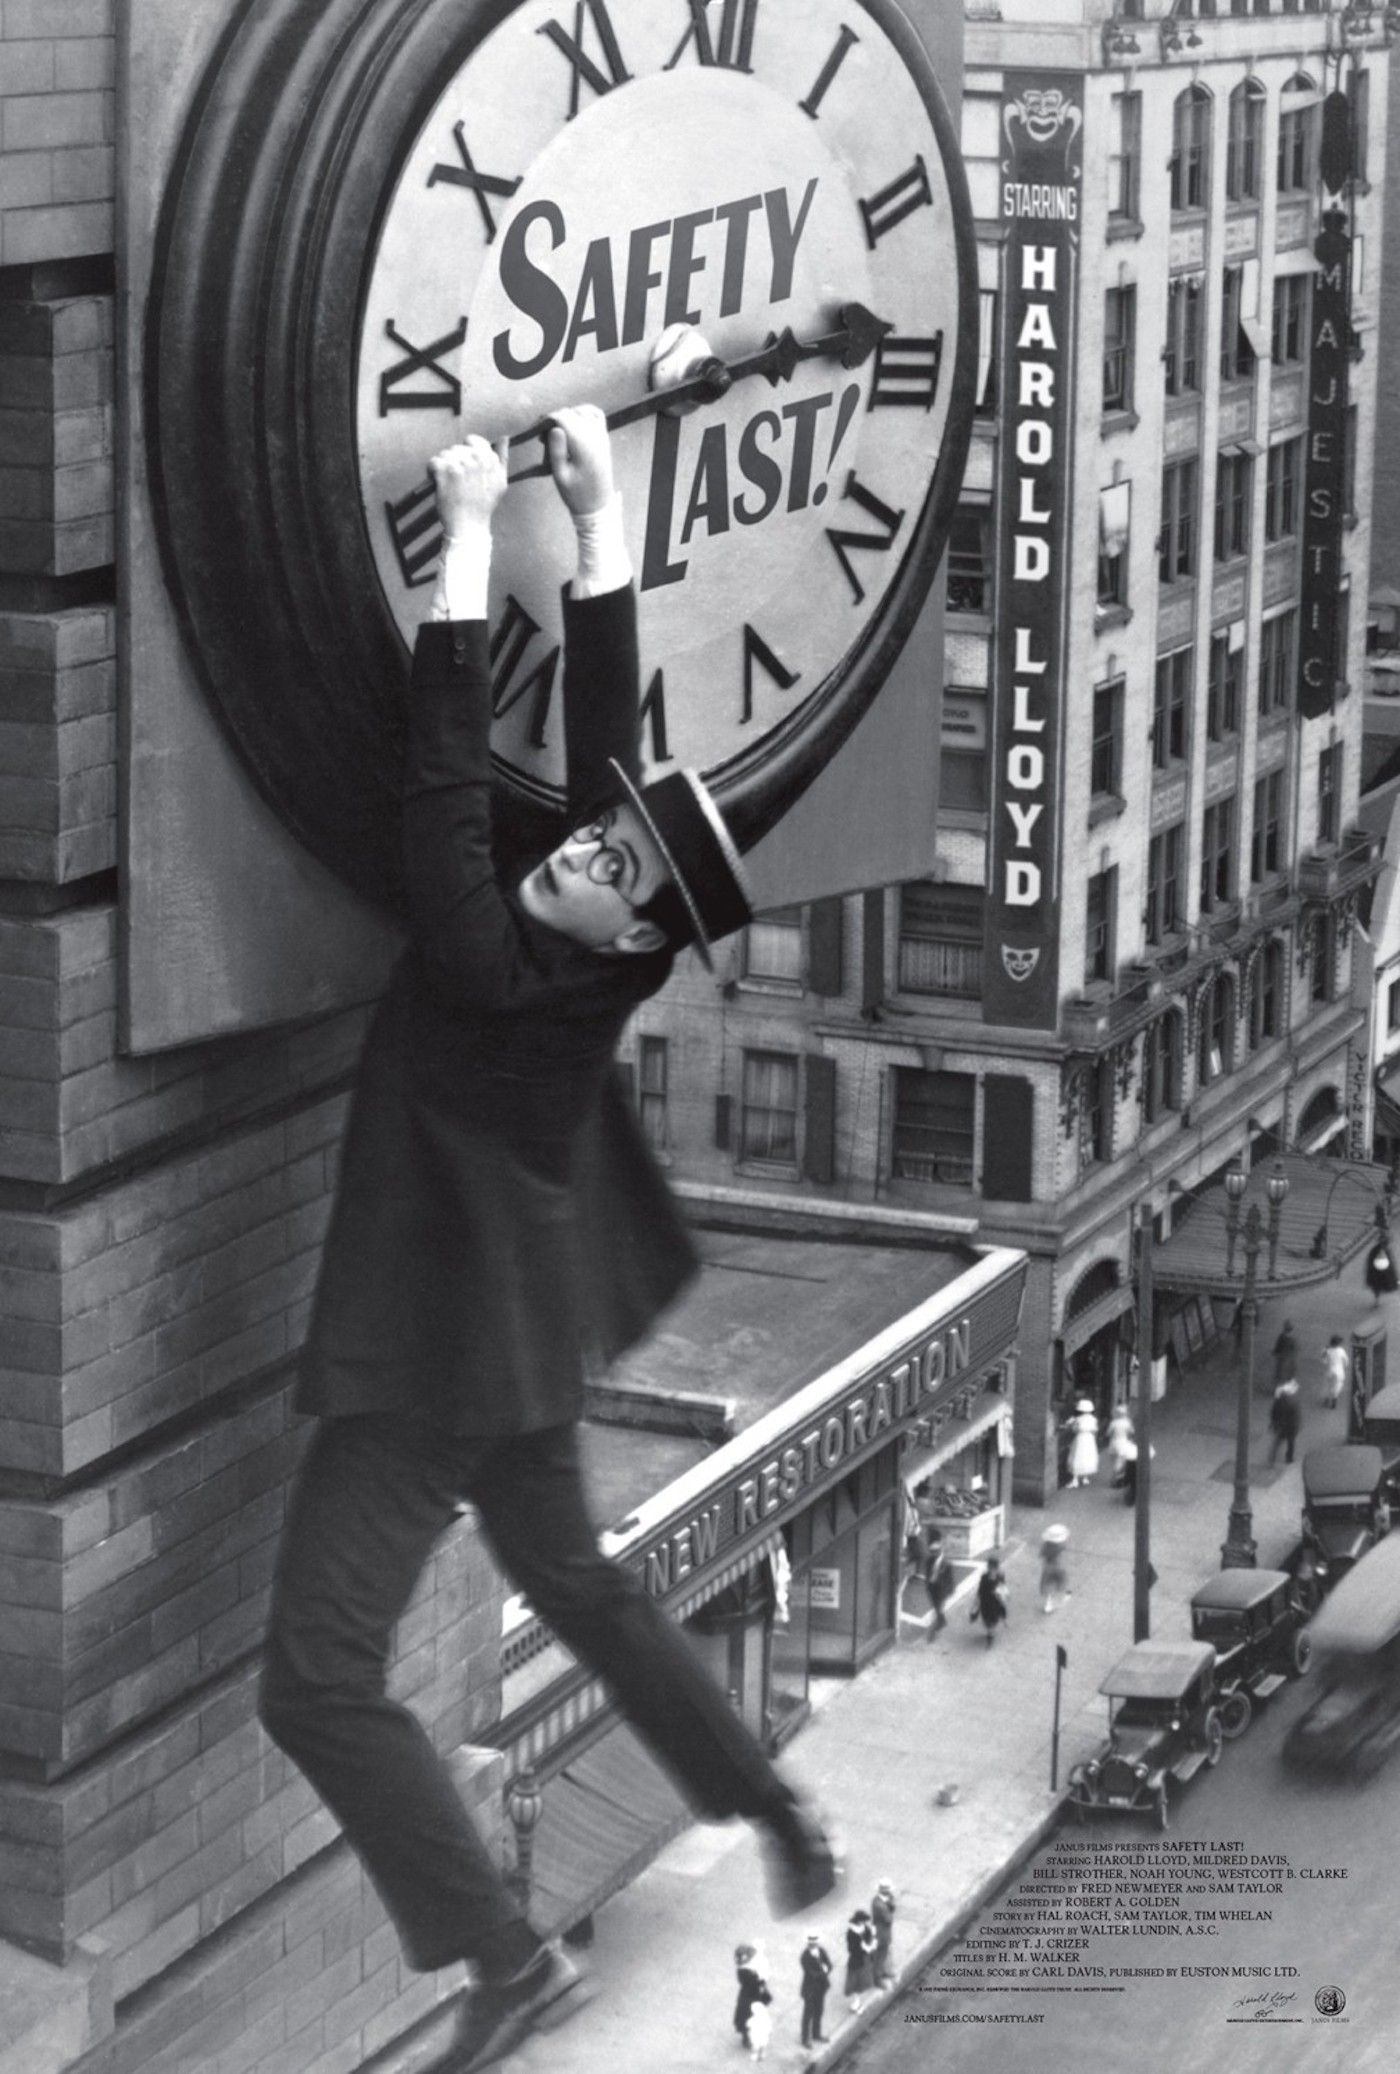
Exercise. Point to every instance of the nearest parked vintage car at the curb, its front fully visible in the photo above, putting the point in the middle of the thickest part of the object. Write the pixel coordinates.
(1163, 1727)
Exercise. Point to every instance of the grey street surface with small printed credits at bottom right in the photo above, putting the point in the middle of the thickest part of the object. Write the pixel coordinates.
(1248, 1965)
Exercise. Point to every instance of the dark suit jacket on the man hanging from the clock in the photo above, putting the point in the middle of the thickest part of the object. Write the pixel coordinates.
(501, 1227)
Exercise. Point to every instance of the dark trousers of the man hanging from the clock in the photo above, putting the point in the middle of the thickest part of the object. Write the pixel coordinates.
(372, 1501)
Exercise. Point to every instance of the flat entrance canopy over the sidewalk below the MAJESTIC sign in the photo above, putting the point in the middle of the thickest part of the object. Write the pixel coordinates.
(1326, 1221)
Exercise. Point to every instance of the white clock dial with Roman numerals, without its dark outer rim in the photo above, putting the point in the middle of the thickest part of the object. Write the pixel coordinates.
(590, 177)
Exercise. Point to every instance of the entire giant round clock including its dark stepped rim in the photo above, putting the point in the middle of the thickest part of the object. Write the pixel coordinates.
(403, 221)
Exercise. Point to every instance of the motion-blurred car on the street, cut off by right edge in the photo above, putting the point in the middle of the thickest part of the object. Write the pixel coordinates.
(1355, 1720)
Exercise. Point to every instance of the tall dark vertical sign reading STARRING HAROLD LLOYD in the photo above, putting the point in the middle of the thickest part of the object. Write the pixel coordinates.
(1042, 121)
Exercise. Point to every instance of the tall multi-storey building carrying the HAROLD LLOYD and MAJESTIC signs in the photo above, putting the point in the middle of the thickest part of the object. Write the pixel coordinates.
(1212, 986)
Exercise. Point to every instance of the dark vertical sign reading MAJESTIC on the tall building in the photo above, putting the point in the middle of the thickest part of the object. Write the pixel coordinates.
(1324, 491)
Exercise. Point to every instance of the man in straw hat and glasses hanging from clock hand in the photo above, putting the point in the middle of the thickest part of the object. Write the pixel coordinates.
(499, 1231)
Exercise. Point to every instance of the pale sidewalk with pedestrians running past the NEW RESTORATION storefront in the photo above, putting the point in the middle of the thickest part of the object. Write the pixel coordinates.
(883, 1745)
